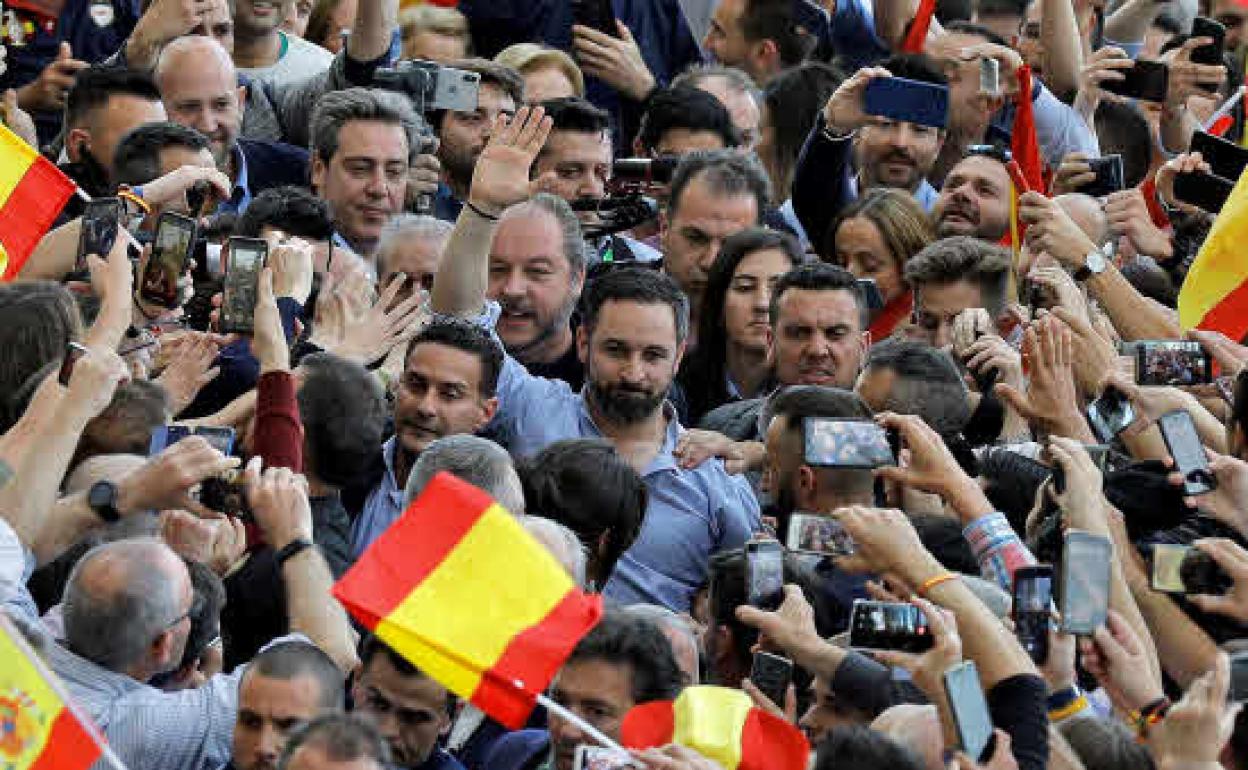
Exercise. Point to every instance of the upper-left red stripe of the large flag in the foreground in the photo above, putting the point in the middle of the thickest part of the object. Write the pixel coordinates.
(410, 551)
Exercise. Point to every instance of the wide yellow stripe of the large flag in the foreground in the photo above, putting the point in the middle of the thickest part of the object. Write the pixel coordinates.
(436, 607)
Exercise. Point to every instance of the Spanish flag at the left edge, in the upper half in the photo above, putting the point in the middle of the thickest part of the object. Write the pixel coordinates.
(33, 192)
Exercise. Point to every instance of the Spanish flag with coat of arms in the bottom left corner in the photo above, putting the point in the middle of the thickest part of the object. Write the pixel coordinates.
(39, 729)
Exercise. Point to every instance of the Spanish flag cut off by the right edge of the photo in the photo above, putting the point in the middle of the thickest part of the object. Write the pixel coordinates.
(1215, 295)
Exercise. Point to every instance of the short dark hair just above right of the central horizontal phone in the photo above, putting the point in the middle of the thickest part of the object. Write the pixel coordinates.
(929, 384)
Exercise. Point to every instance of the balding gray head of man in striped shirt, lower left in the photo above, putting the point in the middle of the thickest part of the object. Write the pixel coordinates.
(114, 627)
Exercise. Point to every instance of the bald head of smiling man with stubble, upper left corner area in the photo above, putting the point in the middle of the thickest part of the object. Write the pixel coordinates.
(200, 89)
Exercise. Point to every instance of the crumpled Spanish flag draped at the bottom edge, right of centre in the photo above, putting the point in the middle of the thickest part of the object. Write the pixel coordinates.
(722, 724)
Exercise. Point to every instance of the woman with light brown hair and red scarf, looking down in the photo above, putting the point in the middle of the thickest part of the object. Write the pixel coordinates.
(873, 239)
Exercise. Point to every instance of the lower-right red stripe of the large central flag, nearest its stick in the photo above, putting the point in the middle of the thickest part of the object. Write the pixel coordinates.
(535, 656)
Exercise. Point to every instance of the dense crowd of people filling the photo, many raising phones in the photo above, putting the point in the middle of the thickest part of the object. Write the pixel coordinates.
(622, 289)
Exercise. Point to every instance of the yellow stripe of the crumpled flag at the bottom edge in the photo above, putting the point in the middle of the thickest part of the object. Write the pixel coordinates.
(712, 721)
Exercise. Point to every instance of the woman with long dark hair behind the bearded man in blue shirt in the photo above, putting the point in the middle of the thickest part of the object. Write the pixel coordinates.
(734, 330)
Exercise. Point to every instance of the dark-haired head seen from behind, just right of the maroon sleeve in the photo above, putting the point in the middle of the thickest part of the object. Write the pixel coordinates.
(344, 411)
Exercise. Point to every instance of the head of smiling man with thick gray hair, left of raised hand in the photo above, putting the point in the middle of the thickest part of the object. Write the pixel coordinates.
(364, 143)
